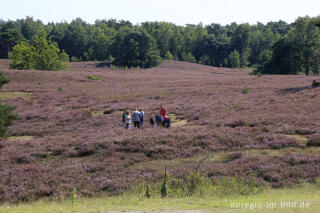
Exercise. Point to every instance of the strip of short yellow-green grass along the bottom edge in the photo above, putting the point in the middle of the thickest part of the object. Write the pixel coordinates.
(307, 195)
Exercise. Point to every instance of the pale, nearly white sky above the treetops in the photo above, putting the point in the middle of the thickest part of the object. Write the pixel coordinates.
(180, 12)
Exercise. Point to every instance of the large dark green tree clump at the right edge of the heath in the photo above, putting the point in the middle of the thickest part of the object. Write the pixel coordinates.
(298, 51)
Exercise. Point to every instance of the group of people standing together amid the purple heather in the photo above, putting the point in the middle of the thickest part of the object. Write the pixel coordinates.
(138, 117)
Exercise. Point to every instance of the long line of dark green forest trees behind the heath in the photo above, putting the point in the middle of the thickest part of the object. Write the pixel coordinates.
(274, 47)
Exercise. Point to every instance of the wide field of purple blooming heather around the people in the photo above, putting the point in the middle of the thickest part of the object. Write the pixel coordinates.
(266, 127)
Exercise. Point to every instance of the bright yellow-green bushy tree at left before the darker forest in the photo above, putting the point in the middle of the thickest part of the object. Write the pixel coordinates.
(42, 55)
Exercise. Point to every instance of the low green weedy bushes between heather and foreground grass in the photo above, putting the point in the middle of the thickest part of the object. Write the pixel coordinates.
(198, 185)
